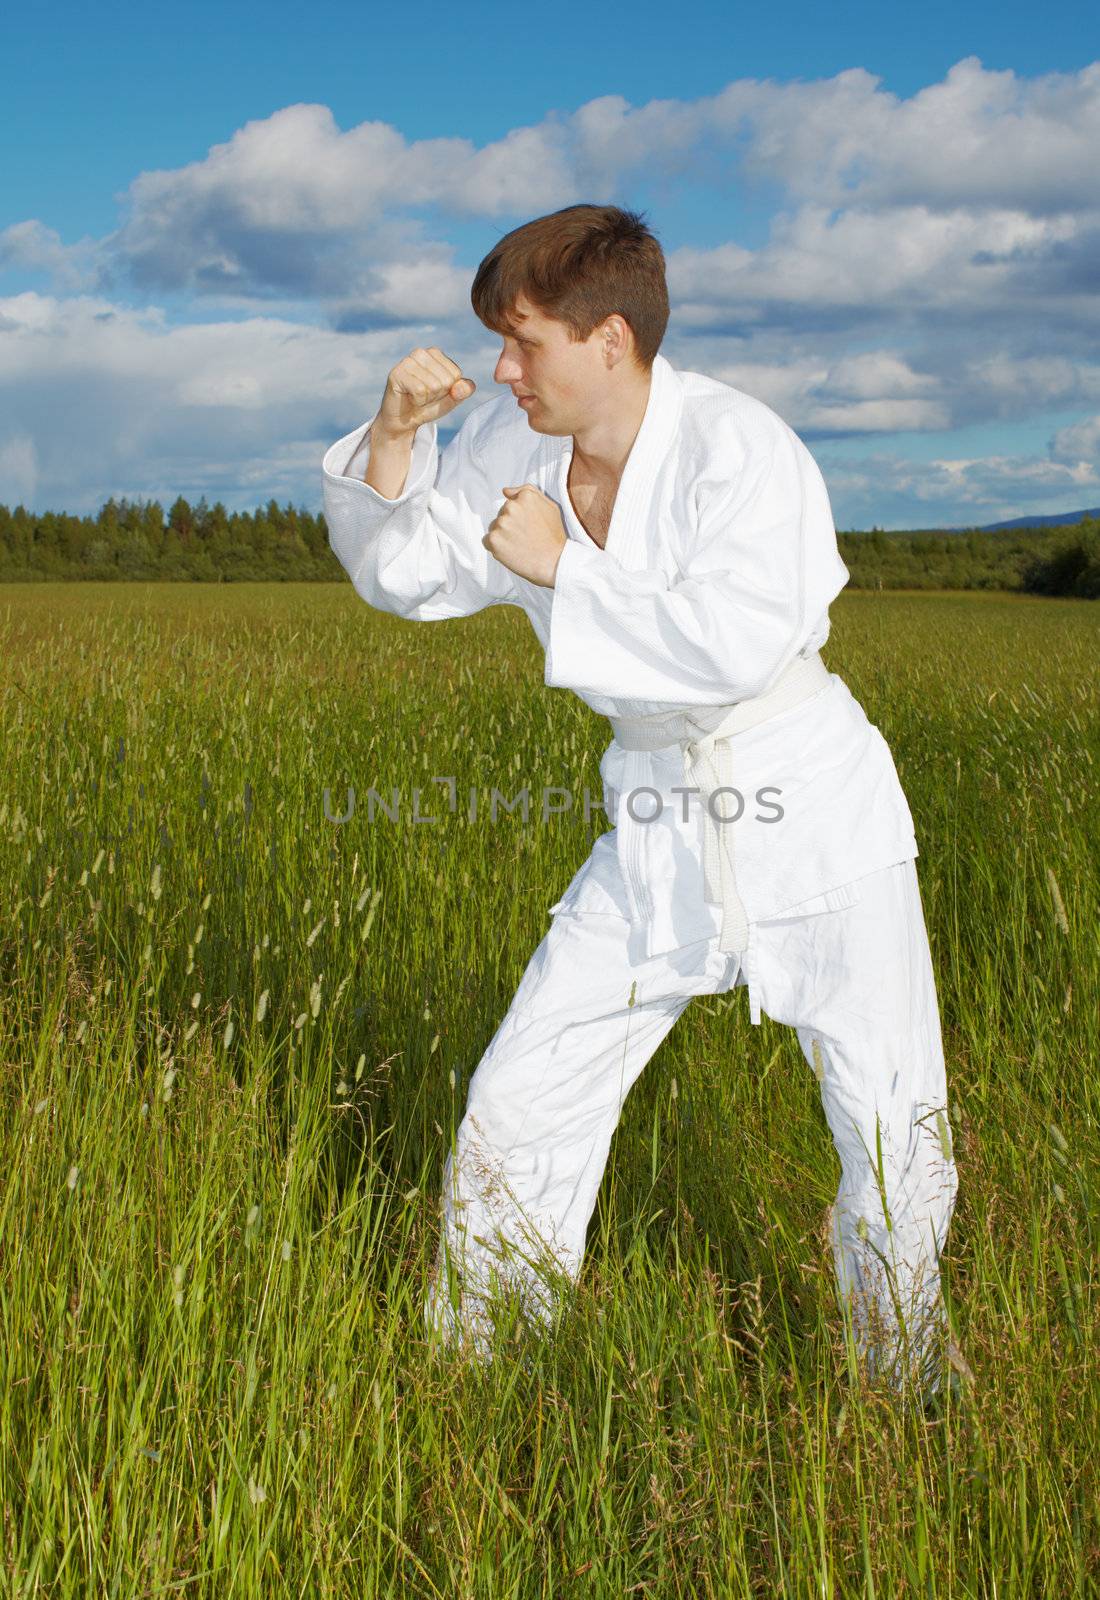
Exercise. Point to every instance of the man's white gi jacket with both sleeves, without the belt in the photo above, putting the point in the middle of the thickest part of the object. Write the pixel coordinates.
(719, 570)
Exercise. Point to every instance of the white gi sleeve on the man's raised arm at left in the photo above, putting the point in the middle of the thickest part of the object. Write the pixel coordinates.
(418, 556)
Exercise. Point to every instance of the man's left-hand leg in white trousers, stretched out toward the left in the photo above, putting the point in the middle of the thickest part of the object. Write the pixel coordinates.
(522, 1178)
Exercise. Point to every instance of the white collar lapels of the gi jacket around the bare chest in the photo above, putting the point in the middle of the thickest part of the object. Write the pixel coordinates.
(632, 513)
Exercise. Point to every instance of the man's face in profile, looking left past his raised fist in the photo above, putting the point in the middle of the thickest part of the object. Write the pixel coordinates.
(565, 382)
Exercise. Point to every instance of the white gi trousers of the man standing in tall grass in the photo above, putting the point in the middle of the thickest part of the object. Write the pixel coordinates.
(856, 983)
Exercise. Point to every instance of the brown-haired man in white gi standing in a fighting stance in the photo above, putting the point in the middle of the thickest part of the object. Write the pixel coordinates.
(672, 545)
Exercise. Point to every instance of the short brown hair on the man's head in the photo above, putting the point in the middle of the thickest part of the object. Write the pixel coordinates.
(580, 266)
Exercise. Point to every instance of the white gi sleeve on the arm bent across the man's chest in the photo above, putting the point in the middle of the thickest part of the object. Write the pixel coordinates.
(760, 567)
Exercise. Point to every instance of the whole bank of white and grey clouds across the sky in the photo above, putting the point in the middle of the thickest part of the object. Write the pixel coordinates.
(930, 265)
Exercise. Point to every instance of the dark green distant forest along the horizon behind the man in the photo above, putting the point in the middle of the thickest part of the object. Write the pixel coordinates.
(134, 540)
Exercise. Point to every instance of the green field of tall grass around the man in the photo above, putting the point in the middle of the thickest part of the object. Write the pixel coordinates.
(236, 1041)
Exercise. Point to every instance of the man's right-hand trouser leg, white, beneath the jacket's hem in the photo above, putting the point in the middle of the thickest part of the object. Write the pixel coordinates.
(863, 998)
